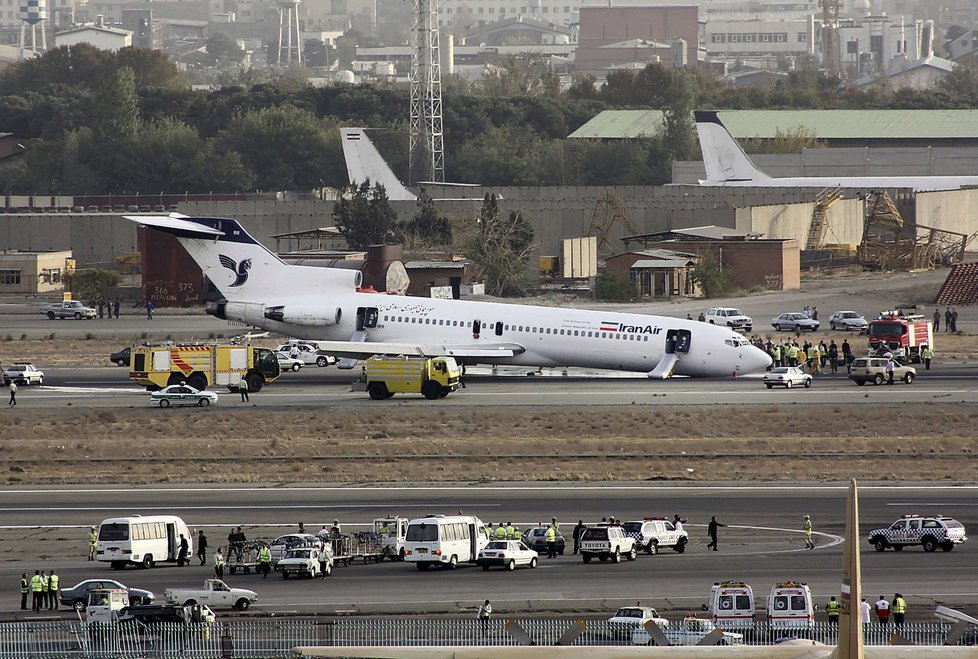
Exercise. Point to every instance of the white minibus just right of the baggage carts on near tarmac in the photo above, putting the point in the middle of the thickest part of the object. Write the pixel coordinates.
(446, 541)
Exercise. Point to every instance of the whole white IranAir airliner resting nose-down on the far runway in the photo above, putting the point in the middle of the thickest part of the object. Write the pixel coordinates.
(324, 304)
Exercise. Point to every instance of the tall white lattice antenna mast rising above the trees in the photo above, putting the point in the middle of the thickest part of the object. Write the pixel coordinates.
(427, 155)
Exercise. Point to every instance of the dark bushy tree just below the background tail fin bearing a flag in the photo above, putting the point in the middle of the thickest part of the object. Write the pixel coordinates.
(364, 217)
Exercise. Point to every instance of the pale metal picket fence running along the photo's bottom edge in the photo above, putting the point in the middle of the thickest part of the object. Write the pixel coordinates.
(267, 639)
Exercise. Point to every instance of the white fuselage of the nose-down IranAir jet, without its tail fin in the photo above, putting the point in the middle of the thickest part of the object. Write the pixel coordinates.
(547, 336)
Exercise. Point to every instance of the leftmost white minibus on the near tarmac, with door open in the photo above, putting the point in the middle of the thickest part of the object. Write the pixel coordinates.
(143, 541)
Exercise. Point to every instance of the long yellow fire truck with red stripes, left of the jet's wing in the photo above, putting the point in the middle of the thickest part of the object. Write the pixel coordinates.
(203, 365)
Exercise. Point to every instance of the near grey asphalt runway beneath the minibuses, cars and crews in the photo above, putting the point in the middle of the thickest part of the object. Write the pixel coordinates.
(761, 545)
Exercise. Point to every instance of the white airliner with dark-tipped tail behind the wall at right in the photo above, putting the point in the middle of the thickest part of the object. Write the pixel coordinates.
(728, 165)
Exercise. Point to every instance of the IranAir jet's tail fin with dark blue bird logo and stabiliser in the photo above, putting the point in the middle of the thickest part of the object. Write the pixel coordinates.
(241, 267)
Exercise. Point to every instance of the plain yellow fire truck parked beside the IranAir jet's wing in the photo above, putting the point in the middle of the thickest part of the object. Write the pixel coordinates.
(434, 377)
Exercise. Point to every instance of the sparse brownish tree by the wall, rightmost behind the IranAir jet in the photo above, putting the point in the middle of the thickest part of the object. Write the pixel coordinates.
(502, 248)
